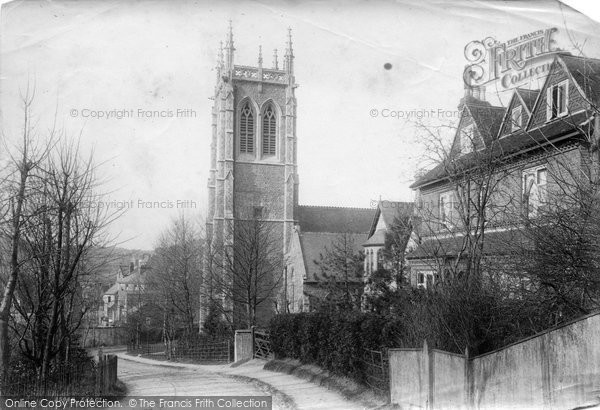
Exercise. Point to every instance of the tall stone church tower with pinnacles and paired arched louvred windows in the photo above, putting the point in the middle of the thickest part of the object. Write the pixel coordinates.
(253, 166)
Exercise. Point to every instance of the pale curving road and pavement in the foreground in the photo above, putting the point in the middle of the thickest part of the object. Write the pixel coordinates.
(151, 377)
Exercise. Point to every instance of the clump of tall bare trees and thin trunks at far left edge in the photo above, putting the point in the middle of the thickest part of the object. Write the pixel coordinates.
(52, 223)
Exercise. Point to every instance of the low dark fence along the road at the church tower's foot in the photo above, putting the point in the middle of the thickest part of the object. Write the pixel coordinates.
(200, 350)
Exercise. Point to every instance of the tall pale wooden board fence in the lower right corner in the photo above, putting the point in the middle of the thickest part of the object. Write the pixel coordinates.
(559, 368)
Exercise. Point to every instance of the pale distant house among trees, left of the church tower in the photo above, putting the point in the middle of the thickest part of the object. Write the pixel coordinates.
(124, 296)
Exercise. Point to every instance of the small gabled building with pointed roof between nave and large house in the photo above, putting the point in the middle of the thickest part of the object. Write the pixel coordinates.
(389, 216)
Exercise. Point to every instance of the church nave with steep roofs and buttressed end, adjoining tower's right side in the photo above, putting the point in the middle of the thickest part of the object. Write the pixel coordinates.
(317, 229)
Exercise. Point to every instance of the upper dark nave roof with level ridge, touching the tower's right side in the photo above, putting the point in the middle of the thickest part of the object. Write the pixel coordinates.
(334, 219)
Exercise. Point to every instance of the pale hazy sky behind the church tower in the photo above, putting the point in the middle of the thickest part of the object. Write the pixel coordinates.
(101, 58)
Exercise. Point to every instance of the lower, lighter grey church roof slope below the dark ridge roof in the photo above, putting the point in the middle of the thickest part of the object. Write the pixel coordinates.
(315, 244)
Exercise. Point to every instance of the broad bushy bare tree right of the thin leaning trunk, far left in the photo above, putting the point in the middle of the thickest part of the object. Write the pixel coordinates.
(64, 224)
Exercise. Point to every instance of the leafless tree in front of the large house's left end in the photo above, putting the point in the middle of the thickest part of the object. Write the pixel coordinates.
(475, 174)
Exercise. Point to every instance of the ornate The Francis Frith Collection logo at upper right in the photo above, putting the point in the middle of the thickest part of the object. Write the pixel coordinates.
(512, 63)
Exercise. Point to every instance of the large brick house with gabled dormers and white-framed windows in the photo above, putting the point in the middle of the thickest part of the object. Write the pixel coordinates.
(504, 166)
